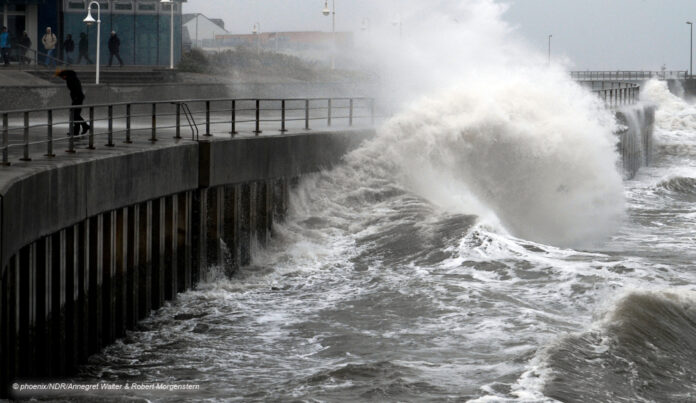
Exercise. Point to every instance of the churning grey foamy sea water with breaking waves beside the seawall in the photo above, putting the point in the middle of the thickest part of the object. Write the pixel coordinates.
(480, 249)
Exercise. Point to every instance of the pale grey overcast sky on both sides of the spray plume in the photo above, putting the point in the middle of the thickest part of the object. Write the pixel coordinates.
(589, 34)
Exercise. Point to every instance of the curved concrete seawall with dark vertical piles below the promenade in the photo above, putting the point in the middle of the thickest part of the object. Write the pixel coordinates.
(89, 248)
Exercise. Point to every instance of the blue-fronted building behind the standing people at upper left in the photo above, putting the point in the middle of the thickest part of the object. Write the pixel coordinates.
(142, 26)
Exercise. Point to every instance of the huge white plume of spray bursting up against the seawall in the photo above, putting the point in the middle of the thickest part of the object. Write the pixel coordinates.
(501, 135)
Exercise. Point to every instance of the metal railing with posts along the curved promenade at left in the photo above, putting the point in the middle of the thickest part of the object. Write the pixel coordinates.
(31, 130)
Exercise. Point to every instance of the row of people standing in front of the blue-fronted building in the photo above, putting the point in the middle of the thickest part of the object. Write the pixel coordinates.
(50, 42)
